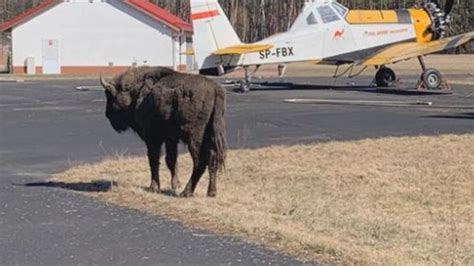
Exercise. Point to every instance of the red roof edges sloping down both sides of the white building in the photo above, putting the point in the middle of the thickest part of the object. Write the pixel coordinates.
(144, 6)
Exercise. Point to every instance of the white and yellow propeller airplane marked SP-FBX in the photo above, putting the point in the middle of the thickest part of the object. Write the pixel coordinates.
(326, 32)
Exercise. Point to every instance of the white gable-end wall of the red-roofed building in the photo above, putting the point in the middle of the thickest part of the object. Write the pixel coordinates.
(103, 35)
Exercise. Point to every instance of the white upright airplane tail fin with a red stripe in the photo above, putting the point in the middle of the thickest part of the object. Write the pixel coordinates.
(212, 31)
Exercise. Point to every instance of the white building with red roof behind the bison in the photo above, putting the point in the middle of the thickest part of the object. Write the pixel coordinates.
(91, 36)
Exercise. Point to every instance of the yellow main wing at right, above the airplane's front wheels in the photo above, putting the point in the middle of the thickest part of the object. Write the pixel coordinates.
(404, 51)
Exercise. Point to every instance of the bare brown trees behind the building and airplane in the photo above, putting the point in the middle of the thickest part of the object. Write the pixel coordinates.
(257, 19)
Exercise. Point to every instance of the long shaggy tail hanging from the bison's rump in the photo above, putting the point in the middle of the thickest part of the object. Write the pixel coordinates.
(217, 131)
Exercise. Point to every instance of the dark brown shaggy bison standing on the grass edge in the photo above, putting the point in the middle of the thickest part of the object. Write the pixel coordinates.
(166, 107)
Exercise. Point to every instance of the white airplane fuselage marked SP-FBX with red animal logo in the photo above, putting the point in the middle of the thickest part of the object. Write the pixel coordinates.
(335, 42)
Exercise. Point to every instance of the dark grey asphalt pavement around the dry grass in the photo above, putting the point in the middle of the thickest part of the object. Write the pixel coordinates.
(49, 126)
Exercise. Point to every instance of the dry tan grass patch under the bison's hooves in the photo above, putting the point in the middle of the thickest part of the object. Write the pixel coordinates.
(387, 201)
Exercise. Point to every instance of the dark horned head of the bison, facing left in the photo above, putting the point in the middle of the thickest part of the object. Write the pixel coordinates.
(119, 109)
